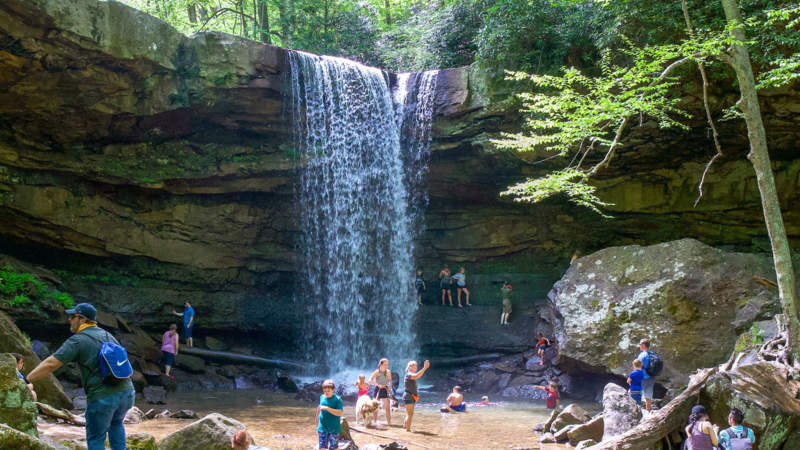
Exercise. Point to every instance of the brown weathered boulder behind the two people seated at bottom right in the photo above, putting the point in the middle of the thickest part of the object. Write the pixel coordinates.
(767, 396)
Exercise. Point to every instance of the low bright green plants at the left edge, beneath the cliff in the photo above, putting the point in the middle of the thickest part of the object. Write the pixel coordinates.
(19, 288)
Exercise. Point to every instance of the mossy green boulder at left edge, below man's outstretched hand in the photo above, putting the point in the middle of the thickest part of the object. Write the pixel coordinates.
(17, 408)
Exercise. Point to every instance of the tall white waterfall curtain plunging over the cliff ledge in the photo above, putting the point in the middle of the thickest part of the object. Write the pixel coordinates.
(356, 220)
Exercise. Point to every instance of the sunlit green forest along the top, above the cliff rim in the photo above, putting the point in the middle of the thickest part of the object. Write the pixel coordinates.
(537, 36)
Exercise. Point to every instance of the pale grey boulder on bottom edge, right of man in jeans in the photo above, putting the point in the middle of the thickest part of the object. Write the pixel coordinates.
(212, 432)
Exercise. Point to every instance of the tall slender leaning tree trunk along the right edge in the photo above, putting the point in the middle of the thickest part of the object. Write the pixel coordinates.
(759, 157)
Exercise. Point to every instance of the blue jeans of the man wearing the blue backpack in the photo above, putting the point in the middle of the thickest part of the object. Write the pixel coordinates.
(105, 415)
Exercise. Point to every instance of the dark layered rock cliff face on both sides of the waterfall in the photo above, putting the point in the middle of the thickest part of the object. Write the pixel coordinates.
(147, 168)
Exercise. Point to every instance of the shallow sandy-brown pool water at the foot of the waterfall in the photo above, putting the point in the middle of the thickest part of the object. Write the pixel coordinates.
(278, 421)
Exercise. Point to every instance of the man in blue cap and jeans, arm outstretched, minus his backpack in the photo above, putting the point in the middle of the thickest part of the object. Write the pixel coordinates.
(106, 404)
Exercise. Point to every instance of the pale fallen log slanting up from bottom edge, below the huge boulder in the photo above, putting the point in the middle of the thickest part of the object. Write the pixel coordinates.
(662, 421)
